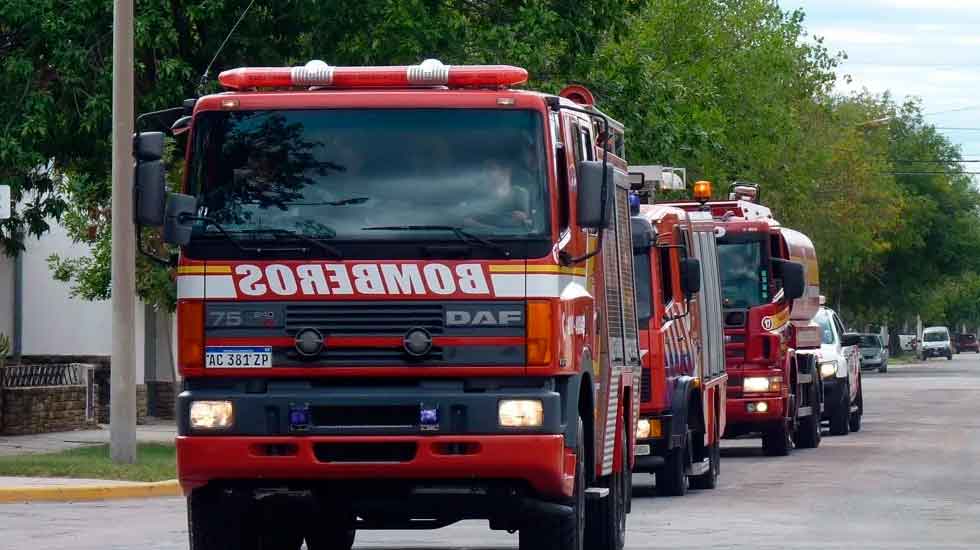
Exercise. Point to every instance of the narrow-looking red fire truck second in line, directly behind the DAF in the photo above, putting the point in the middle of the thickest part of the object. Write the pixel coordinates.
(682, 410)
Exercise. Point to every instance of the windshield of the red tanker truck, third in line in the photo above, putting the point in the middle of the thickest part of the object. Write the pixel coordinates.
(745, 280)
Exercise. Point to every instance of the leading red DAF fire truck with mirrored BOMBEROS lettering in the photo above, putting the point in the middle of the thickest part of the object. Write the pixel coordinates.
(405, 299)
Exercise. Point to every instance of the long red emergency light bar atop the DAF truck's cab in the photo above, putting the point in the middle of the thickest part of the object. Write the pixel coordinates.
(430, 72)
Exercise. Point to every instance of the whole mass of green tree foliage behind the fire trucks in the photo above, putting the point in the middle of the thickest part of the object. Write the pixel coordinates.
(729, 89)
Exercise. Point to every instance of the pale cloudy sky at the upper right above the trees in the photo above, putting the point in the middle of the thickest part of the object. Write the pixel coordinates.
(928, 49)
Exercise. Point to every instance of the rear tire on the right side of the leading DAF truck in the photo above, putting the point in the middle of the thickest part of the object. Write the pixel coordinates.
(605, 524)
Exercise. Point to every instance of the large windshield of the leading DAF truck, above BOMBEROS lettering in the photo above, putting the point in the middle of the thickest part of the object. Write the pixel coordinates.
(347, 174)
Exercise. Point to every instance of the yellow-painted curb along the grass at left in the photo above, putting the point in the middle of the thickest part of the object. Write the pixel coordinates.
(74, 493)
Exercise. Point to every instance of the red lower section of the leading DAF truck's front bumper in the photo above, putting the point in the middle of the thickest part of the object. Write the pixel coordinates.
(549, 470)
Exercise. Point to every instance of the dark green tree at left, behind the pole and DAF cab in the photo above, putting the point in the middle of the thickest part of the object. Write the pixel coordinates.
(59, 57)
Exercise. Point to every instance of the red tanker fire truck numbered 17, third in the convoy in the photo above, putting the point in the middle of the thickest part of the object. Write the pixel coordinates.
(771, 292)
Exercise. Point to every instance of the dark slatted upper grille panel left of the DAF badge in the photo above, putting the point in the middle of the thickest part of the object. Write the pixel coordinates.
(372, 318)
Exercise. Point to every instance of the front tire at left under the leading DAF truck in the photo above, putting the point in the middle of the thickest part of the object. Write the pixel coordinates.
(213, 521)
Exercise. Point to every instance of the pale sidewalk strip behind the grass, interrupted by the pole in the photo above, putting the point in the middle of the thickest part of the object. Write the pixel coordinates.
(63, 441)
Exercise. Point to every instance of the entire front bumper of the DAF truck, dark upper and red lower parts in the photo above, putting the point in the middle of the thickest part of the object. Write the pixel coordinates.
(375, 432)
